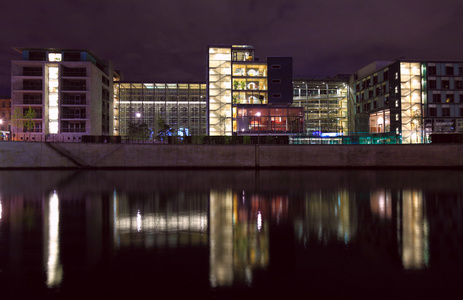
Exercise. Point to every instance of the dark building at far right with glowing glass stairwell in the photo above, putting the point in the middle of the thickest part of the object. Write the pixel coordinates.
(408, 99)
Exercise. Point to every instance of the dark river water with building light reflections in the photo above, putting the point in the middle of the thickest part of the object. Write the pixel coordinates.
(228, 234)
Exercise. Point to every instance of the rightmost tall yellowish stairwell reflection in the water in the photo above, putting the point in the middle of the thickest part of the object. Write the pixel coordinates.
(414, 236)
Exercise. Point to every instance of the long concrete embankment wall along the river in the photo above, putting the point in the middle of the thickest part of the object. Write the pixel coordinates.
(85, 155)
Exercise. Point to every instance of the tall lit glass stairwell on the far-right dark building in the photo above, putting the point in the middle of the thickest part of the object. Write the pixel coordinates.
(410, 84)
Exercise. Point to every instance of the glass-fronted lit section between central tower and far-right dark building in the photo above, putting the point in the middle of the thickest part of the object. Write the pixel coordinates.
(325, 105)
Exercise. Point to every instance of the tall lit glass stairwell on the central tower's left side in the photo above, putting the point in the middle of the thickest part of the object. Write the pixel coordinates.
(220, 100)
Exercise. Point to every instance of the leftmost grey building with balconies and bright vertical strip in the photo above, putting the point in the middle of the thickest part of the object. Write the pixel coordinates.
(69, 91)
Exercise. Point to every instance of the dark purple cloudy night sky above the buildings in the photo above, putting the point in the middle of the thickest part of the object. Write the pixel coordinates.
(166, 41)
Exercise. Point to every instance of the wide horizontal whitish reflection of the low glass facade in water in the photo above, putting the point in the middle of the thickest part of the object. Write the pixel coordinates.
(161, 221)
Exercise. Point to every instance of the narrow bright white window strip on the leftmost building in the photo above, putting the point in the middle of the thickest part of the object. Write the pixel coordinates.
(53, 95)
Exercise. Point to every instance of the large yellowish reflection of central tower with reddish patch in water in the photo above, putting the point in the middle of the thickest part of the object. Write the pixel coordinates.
(239, 234)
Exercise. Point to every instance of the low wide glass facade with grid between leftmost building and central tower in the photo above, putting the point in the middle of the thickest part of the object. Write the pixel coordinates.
(182, 106)
